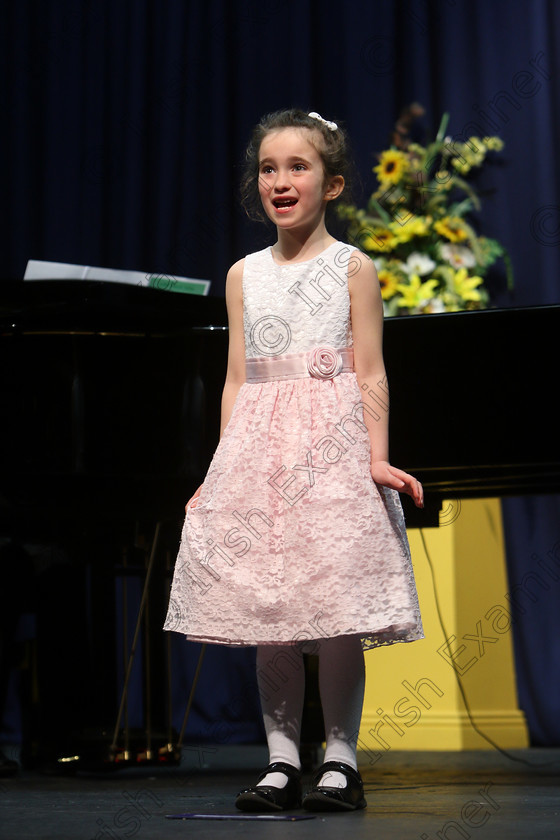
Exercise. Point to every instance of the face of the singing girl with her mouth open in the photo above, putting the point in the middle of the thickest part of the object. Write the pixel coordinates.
(292, 184)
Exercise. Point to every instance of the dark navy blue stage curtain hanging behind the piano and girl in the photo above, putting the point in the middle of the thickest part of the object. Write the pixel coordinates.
(125, 123)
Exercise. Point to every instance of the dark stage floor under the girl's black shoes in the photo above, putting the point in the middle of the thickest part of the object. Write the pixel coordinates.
(425, 795)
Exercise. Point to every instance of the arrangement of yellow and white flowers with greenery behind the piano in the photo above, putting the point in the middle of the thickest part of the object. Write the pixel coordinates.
(415, 227)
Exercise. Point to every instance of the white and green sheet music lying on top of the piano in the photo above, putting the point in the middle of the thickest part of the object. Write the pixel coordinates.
(45, 270)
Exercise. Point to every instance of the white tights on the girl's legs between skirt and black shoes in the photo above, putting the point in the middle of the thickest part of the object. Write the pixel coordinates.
(281, 681)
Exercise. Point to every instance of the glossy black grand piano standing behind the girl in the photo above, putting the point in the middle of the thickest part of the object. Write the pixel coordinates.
(109, 403)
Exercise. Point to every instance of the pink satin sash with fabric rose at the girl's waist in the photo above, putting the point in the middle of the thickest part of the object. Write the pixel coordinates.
(319, 363)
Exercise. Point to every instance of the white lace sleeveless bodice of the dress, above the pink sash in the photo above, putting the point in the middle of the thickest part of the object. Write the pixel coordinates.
(293, 308)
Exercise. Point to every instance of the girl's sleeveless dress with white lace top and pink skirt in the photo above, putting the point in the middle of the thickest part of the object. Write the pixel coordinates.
(291, 539)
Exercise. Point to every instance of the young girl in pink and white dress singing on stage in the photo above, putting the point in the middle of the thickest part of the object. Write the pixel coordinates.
(296, 542)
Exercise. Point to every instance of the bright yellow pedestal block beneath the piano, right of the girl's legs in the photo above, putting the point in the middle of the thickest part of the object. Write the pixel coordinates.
(413, 700)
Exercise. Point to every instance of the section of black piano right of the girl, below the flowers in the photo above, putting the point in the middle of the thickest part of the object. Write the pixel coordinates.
(472, 396)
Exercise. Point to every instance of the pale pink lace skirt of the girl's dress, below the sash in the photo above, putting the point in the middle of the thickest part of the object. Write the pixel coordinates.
(291, 539)
